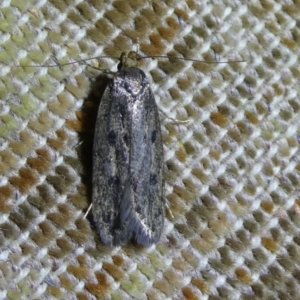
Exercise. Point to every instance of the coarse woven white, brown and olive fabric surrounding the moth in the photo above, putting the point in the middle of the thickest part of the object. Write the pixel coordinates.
(232, 171)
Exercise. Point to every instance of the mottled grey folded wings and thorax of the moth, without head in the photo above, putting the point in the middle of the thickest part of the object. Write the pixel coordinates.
(128, 197)
